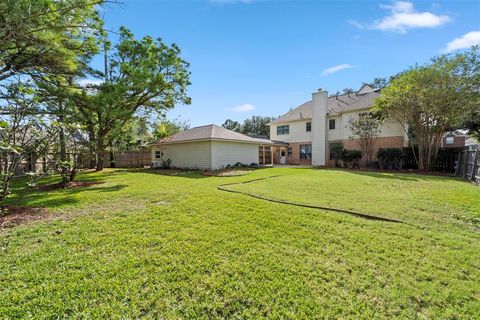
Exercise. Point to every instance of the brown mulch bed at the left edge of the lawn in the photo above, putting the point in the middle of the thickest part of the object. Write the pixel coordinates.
(12, 216)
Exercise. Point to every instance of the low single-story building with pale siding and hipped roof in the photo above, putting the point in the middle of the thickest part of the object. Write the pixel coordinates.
(211, 147)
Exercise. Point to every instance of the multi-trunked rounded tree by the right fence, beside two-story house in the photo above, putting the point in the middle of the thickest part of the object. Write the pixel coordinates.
(431, 99)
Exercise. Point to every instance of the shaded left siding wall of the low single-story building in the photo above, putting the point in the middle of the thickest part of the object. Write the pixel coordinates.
(194, 155)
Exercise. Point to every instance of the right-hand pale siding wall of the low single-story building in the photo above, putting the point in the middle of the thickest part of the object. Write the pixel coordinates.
(229, 153)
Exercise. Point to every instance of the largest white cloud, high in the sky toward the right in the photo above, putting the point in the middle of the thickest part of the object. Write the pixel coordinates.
(404, 17)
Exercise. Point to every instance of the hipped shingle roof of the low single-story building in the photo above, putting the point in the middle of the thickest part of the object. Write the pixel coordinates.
(211, 132)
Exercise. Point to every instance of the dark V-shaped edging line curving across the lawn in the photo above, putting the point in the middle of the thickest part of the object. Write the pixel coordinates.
(222, 187)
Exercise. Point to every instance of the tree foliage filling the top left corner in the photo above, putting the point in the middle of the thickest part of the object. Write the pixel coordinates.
(42, 37)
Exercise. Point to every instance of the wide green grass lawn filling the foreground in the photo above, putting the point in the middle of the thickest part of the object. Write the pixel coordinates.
(145, 245)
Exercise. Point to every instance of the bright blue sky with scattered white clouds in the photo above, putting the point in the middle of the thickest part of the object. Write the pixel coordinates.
(264, 57)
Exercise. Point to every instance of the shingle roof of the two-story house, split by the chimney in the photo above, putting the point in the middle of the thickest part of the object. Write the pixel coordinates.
(335, 105)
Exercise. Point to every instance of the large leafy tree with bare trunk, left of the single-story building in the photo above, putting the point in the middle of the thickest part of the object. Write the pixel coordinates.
(142, 77)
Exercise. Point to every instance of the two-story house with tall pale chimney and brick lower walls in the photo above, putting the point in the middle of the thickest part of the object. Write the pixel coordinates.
(313, 127)
